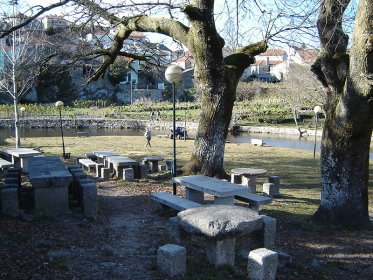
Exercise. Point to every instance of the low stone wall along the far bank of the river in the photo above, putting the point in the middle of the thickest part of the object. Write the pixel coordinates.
(100, 123)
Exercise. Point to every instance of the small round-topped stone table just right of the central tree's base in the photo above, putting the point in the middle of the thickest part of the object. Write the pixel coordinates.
(246, 177)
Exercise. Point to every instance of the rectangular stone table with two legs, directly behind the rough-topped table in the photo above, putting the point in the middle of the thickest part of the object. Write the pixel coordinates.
(197, 185)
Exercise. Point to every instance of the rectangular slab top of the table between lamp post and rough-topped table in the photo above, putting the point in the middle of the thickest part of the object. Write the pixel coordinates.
(210, 185)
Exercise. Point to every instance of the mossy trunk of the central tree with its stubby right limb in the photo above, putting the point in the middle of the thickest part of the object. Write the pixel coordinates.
(217, 78)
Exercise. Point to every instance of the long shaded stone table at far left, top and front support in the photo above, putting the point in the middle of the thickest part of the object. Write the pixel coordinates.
(50, 180)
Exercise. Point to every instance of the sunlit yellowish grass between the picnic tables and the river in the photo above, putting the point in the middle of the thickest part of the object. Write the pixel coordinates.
(298, 170)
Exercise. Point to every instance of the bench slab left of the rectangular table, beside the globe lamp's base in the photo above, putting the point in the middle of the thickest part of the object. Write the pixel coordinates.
(173, 201)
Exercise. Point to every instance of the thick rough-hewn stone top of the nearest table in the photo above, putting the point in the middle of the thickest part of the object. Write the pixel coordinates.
(219, 221)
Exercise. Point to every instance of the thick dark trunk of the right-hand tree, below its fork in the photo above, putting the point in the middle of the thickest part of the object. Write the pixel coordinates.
(344, 168)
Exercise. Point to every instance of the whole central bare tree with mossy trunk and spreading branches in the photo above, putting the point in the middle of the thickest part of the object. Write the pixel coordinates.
(193, 24)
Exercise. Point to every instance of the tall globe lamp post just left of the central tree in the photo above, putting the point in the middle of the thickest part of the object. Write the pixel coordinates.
(173, 75)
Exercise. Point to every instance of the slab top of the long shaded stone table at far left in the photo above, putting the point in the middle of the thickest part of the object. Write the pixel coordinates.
(48, 172)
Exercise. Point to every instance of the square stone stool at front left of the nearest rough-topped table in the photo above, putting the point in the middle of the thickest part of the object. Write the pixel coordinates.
(171, 260)
